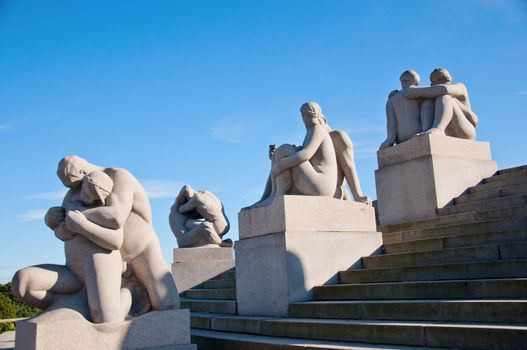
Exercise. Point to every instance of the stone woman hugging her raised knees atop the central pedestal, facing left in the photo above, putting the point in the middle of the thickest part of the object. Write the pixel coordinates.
(310, 169)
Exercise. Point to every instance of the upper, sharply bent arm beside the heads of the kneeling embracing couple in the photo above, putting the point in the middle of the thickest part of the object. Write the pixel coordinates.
(119, 203)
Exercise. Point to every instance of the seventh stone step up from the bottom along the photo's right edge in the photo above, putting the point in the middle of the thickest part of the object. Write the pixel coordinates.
(503, 224)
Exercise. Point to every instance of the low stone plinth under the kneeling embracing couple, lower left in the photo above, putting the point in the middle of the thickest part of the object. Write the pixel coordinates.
(65, 329)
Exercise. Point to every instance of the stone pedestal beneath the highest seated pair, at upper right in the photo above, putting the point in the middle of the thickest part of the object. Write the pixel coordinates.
(427, 172)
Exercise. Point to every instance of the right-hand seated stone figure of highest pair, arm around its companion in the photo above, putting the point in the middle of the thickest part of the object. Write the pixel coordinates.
(445, 106)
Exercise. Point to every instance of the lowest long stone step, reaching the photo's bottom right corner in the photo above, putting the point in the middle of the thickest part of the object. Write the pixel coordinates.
(436, 334)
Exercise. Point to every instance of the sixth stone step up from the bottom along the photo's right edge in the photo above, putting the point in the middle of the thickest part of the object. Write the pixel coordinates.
(445, 242)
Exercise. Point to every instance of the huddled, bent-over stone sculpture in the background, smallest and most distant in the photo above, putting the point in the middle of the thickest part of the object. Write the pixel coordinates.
(198, 219)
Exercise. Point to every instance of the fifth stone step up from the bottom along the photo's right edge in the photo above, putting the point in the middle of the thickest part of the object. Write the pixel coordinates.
(444, 256)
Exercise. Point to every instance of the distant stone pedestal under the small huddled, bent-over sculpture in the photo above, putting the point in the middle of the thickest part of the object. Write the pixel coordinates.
(193, 266)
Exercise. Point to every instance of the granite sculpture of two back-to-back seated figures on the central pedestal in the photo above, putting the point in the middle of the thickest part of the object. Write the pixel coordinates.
(319, 167)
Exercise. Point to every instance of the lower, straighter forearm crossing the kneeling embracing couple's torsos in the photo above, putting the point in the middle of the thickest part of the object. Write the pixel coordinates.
(104, 237)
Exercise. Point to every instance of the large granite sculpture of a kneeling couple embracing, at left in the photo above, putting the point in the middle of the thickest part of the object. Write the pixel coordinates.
(105, 223)
